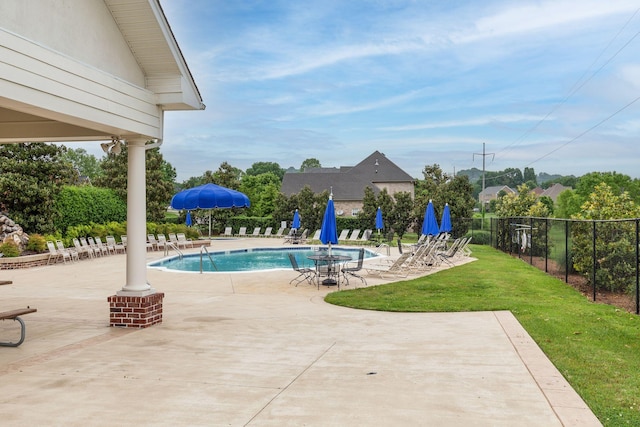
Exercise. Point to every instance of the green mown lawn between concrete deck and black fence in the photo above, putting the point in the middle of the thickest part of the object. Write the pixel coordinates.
(595, 346)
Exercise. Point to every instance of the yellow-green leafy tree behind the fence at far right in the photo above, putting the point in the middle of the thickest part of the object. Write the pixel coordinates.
(615, 240)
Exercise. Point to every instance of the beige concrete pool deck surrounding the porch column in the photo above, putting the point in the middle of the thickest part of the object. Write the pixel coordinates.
(249, 349)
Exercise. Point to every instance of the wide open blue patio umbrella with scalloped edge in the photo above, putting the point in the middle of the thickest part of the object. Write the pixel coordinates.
(209, 196)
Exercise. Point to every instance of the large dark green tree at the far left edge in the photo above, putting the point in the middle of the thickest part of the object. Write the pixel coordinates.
(31, 176)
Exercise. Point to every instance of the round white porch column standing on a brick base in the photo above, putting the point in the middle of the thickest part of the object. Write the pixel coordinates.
(136, 222)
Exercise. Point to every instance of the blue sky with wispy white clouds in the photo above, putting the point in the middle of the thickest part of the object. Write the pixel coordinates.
(552, 85)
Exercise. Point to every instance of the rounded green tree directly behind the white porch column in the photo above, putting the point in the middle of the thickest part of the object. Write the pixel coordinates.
(159, 180)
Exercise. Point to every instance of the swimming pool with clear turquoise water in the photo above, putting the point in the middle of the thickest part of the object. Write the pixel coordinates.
(244, 260)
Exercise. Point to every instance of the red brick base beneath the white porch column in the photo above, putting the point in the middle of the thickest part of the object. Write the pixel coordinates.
(135, 311)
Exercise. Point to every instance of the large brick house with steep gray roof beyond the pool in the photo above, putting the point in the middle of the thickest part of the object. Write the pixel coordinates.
(348, 182)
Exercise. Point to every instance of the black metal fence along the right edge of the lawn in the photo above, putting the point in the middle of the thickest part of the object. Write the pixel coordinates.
(600, 257)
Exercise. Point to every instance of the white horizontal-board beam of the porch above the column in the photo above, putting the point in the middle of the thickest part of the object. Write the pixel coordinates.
(61, 88)
